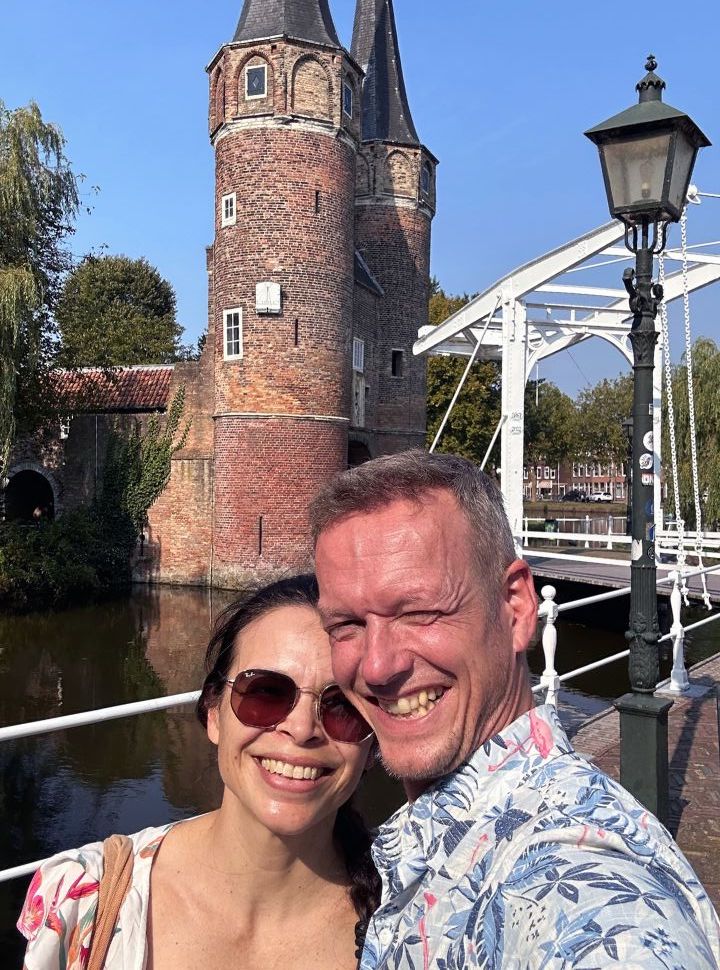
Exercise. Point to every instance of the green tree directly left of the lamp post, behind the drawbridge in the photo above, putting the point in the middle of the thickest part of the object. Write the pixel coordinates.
(601, 412)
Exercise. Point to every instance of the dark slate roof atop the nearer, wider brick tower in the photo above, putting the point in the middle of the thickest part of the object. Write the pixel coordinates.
(300, 19)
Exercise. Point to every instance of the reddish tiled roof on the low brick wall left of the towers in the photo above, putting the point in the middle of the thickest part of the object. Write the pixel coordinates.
(145, 388)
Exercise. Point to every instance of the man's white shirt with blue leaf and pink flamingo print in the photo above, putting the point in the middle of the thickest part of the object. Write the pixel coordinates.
(527, 857)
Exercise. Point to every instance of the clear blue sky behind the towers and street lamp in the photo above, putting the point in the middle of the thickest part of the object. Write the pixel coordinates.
(500, 92)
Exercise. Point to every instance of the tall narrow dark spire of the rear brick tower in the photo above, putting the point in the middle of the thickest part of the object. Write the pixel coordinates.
(386, 112)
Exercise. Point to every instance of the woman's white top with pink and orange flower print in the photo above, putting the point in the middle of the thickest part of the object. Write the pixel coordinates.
(58, 917)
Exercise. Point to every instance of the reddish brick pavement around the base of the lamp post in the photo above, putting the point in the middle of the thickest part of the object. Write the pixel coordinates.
(694, 752)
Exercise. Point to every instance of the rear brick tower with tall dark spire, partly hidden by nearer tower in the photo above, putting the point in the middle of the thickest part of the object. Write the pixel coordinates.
(394, 207)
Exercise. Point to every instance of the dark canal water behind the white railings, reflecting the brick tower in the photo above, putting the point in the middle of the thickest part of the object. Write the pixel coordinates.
(77, 786)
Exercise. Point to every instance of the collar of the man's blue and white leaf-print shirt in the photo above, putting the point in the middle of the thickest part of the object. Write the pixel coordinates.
(421, 835)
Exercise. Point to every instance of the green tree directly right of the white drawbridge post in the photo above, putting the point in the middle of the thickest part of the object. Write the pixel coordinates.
(551, 424)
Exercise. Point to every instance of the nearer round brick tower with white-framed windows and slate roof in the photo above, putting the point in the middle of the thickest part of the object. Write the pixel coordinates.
(285, 127)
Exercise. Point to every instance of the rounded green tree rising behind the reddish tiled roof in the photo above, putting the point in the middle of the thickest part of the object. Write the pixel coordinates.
(116, 311)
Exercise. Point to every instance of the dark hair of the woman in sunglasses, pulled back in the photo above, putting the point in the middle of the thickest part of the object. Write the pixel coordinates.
(351, 835)
